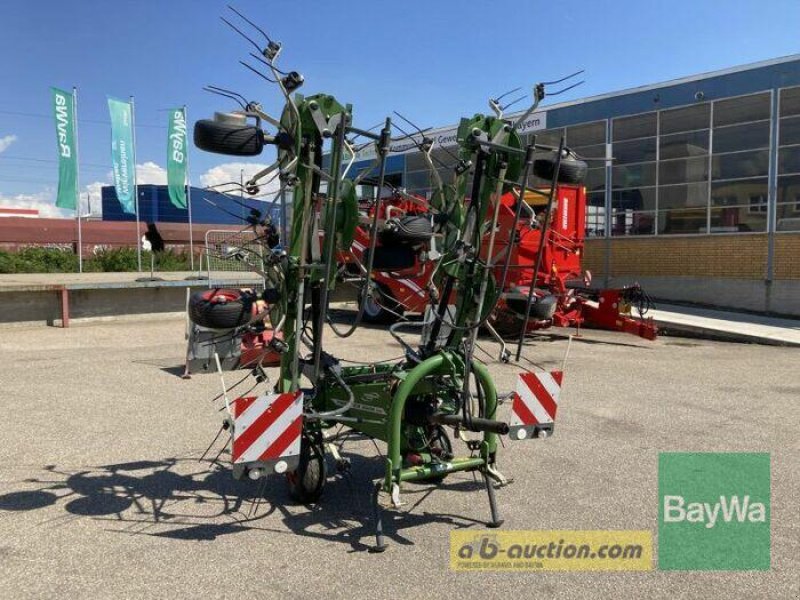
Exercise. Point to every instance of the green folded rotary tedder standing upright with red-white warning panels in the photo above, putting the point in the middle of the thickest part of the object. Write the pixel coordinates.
(438, 387)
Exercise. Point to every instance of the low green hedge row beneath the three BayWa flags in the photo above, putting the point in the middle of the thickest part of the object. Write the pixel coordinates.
(36, 259)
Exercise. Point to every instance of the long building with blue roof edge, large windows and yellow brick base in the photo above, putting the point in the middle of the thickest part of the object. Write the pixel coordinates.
(693, 187)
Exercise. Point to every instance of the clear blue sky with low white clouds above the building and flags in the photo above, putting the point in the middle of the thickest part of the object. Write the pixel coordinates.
(433, 60)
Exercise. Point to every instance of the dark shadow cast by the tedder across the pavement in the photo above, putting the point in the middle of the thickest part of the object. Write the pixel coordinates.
(184, 499)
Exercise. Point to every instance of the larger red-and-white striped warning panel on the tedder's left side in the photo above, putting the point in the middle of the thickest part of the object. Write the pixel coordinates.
(266, 431)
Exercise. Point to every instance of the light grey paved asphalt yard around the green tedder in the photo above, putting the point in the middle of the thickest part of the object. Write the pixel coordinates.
(102, 494)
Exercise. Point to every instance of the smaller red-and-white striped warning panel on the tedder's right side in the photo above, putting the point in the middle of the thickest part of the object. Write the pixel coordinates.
(533, 410)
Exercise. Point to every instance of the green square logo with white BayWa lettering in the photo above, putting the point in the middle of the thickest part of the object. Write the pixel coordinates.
(714, 511)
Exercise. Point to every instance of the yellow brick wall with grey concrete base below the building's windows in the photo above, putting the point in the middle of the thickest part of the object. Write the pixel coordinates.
(729, 271)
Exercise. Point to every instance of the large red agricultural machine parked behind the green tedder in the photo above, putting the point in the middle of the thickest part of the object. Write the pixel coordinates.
(562, 296)
